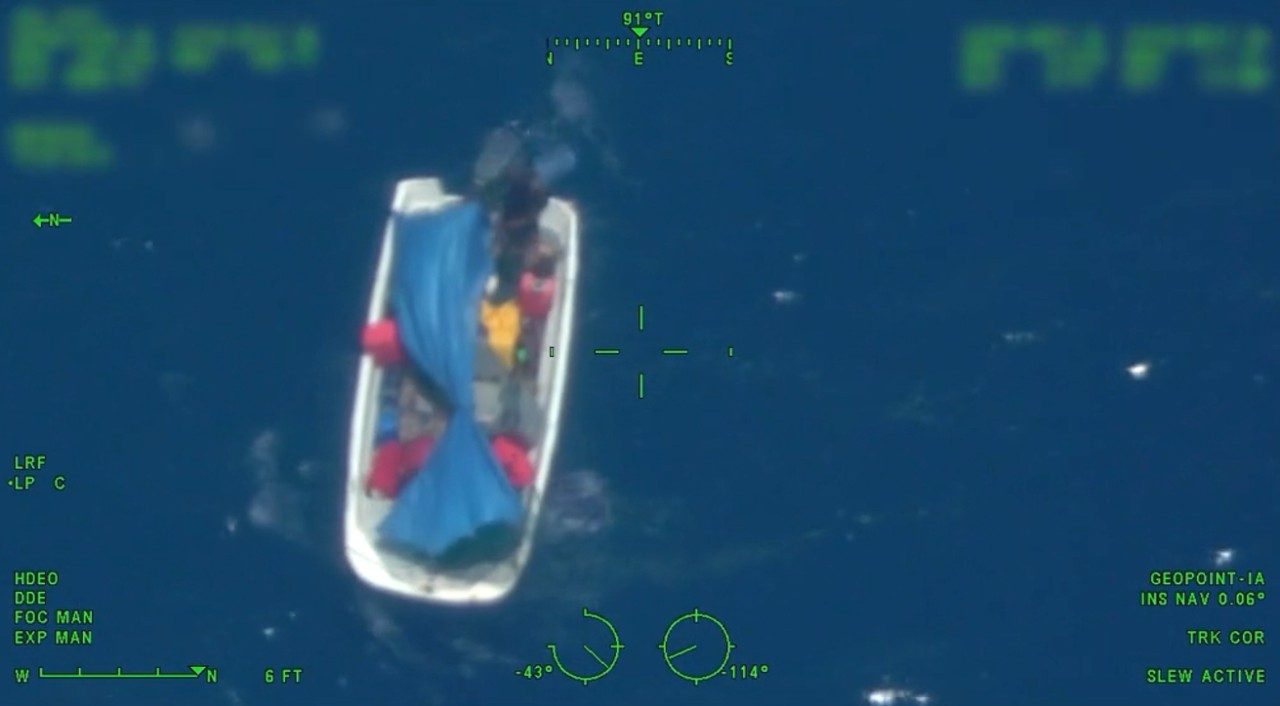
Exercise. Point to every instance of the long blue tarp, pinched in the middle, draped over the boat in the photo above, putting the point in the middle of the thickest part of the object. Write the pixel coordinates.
(442, 263)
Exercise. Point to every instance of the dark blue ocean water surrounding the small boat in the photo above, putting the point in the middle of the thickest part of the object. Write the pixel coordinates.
(927, 470)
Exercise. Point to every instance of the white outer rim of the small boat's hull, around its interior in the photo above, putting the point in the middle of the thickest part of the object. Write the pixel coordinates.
(481, 583)
